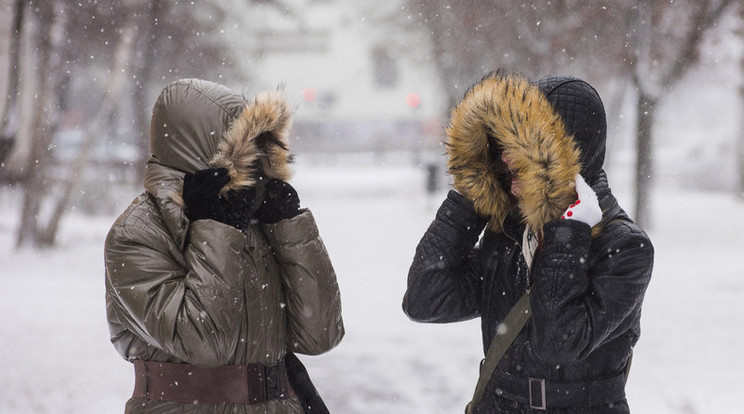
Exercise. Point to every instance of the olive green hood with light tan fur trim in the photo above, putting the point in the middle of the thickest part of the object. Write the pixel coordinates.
(197, 124)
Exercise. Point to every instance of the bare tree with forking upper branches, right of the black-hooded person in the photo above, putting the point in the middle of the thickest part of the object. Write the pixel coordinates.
(665, 41)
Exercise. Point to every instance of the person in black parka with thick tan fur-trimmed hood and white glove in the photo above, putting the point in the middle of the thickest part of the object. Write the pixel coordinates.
(526, 161)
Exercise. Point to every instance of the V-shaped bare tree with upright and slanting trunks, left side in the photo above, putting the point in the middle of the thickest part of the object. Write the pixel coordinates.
(52, 35)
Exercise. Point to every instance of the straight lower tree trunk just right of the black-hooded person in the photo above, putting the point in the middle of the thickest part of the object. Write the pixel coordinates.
(645, 117)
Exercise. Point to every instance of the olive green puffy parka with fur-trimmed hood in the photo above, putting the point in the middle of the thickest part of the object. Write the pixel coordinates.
(203, 292)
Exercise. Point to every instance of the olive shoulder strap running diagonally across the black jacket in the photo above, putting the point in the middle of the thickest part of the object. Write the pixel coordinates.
(505, 335)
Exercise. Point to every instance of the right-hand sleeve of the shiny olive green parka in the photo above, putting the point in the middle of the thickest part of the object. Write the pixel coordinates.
(313, 301)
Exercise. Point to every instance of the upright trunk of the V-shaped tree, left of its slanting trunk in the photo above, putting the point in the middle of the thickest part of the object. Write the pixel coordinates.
(50, 35)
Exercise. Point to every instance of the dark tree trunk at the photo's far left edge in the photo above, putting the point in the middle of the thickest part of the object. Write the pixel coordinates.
(9, 128)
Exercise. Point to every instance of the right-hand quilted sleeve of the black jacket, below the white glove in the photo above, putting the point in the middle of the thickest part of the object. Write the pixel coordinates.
(586, 295)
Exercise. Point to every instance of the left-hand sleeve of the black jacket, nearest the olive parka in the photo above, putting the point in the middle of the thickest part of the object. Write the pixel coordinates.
(444, 278)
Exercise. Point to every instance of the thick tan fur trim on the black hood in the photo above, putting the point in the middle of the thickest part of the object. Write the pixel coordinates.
(533, 136)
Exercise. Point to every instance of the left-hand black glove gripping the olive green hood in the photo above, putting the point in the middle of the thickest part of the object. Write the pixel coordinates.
(201, 193)
